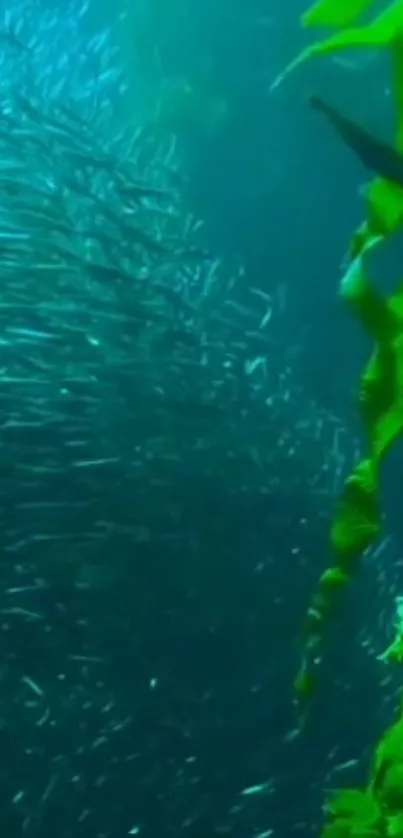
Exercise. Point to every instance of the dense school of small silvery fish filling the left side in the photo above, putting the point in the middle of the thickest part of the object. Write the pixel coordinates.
(150, 406)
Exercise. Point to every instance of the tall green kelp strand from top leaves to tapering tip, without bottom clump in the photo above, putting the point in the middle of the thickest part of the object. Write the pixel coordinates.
(357, 520)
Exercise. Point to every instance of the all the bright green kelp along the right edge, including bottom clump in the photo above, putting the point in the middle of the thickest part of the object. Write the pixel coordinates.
(375, 811)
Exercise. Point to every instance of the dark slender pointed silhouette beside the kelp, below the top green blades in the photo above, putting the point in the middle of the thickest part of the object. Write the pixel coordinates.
(377, 156)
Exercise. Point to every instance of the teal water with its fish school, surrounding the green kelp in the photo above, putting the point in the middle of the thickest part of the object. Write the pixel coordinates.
(176, 417)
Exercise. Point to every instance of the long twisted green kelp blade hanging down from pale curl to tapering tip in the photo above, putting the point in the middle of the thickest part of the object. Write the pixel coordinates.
(357, 520)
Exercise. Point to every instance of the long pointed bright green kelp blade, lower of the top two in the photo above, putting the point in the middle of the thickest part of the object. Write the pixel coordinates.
(380, 33)
